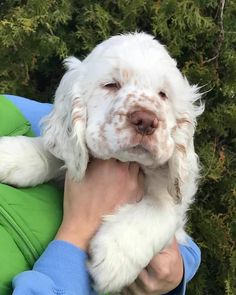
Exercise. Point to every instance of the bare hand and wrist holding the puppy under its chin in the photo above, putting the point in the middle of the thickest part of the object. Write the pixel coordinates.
(106, 186)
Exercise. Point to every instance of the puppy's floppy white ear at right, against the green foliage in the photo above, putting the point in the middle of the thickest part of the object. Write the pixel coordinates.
(183, 165)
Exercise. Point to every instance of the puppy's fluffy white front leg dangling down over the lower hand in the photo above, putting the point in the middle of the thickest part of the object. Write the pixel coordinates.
(126, 243)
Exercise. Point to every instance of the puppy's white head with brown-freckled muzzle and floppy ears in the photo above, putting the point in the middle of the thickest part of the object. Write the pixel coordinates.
(126, 100)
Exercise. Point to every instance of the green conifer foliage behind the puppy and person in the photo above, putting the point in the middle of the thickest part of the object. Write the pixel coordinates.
(36, 35)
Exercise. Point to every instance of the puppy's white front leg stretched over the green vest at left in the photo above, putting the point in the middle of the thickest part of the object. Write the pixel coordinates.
(24, 162)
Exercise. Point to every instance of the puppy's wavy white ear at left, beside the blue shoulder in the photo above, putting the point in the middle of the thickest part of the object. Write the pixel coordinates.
(64, 128)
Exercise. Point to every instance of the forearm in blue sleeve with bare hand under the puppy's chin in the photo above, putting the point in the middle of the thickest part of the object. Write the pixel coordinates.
(62, 267)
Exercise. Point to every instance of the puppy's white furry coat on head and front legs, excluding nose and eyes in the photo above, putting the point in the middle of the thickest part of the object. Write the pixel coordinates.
(90, 119)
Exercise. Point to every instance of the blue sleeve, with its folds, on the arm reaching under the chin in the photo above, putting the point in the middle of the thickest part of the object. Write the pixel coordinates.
(61, 270)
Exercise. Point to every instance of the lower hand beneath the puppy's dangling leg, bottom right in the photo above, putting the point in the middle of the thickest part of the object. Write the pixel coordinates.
(163, 274)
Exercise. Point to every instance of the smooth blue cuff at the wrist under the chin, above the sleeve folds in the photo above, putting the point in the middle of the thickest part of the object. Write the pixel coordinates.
(65, 264)
